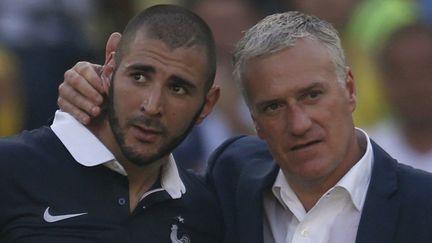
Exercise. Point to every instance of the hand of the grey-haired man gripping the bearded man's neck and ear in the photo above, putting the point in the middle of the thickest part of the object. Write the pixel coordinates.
(81, 93)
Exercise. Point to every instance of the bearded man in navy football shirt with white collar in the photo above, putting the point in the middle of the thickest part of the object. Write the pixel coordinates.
(115, 180)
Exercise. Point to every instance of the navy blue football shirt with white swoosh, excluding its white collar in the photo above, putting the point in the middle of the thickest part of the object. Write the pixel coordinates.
(38, 177)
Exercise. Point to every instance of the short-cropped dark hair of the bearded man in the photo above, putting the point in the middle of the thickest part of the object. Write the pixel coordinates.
(176, 27)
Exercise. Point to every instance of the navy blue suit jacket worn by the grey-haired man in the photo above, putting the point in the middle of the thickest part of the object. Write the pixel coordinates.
(398, 206)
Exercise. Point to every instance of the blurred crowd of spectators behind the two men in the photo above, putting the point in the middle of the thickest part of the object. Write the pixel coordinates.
(388, 44)
